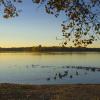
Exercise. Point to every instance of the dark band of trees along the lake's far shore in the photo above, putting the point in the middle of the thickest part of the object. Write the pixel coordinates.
(49, 49)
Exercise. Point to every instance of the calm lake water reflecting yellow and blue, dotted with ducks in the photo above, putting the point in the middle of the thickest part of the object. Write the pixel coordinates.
(50, 68)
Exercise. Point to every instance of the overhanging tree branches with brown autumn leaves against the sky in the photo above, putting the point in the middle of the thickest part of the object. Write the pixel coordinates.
(82, 24)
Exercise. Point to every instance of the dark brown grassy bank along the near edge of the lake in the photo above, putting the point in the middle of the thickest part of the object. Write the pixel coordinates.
(49, 92)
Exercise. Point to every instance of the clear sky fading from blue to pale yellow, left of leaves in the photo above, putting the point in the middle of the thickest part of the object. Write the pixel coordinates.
(31, 28)
